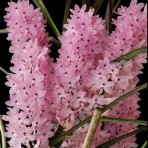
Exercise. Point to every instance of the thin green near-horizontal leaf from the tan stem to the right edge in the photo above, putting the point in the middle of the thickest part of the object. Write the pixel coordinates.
(139, 122)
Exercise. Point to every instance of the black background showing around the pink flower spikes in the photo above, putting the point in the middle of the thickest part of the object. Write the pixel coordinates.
(56, 10)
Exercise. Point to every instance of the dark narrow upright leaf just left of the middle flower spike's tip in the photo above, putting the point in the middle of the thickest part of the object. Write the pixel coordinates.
(67, 12)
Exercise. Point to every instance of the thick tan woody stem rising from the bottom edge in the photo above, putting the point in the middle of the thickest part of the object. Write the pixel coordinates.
(92, 128)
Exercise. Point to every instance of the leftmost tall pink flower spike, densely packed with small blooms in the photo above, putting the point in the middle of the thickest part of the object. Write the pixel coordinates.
(30, 115)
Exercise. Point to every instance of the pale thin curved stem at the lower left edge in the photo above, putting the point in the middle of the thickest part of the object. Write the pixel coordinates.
(2, 133)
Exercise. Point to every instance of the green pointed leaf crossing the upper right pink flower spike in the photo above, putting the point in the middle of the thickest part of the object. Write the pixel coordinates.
(131, 54)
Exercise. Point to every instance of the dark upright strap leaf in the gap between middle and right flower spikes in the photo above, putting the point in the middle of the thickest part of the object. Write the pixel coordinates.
(108, 16)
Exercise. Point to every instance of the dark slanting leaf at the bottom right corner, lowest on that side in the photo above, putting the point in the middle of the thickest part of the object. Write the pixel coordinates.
(115, 140)
